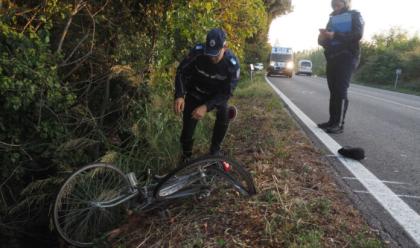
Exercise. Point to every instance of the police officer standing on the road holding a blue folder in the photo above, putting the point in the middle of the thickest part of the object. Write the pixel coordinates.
(342, 50)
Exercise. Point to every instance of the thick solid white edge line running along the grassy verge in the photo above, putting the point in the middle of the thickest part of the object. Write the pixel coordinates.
(399, 210)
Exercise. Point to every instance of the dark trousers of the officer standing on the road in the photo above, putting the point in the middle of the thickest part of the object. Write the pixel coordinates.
(339, 72)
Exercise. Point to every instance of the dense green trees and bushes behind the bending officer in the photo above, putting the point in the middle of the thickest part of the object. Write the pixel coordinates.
(84, 81)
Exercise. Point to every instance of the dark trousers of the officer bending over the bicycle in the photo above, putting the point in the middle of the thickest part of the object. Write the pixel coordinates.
(219, 131)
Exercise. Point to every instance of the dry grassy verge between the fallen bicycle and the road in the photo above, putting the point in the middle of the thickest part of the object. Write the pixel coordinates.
(297, 205)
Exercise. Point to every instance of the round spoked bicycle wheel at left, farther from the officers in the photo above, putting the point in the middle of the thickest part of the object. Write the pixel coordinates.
(91, 203)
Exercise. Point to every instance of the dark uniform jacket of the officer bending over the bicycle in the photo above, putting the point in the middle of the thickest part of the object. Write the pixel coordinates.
(213, 84)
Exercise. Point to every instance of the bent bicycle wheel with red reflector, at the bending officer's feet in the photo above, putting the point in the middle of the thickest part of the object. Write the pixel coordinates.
(205, 174)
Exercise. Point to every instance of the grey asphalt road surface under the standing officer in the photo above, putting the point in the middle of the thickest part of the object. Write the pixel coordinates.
(386, 124)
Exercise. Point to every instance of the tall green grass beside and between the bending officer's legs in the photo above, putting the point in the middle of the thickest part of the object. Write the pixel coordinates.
(155, 145)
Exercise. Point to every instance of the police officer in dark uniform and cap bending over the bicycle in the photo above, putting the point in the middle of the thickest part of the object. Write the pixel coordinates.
(204, 81)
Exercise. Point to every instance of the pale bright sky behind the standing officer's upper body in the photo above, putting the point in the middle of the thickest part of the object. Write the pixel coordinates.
(299, 29)
